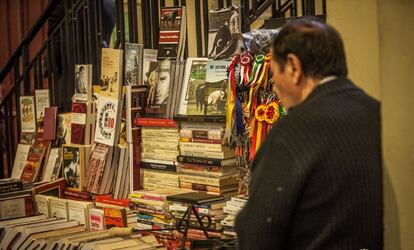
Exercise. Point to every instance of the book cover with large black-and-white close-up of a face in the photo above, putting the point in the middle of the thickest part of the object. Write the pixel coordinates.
(159, 86)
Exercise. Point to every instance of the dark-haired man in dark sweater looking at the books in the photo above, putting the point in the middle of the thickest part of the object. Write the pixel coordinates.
(316, 180)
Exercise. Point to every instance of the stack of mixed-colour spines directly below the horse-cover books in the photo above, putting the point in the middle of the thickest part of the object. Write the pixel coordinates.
(204, 163)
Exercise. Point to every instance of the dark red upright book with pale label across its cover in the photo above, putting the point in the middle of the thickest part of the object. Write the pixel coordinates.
(78, 126)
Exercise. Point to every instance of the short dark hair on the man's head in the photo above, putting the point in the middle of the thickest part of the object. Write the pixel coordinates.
(318, 46)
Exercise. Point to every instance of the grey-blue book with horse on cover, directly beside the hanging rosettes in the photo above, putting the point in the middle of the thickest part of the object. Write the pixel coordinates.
(215, 88)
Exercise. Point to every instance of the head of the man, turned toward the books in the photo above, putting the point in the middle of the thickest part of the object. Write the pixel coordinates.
(303, 53)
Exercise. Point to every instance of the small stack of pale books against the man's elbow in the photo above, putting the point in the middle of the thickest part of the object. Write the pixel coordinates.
(231, 209)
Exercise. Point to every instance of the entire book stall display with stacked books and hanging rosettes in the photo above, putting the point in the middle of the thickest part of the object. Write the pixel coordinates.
(156, 134)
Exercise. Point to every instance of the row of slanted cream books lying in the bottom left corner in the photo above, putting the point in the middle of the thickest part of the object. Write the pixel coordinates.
(40, 232)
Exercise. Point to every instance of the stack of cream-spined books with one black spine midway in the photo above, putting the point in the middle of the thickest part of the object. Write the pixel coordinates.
(159, 147)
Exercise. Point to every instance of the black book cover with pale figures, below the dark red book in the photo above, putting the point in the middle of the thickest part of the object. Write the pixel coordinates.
(72, 166)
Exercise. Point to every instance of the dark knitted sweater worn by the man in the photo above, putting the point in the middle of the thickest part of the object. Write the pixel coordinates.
(317, 178)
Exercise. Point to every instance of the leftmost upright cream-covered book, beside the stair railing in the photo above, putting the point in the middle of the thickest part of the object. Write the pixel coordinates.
(27, 114)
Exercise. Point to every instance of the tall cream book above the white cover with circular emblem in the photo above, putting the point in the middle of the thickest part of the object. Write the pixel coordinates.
(111, 73)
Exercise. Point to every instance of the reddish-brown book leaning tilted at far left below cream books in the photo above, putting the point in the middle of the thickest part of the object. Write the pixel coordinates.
(38, 152)
